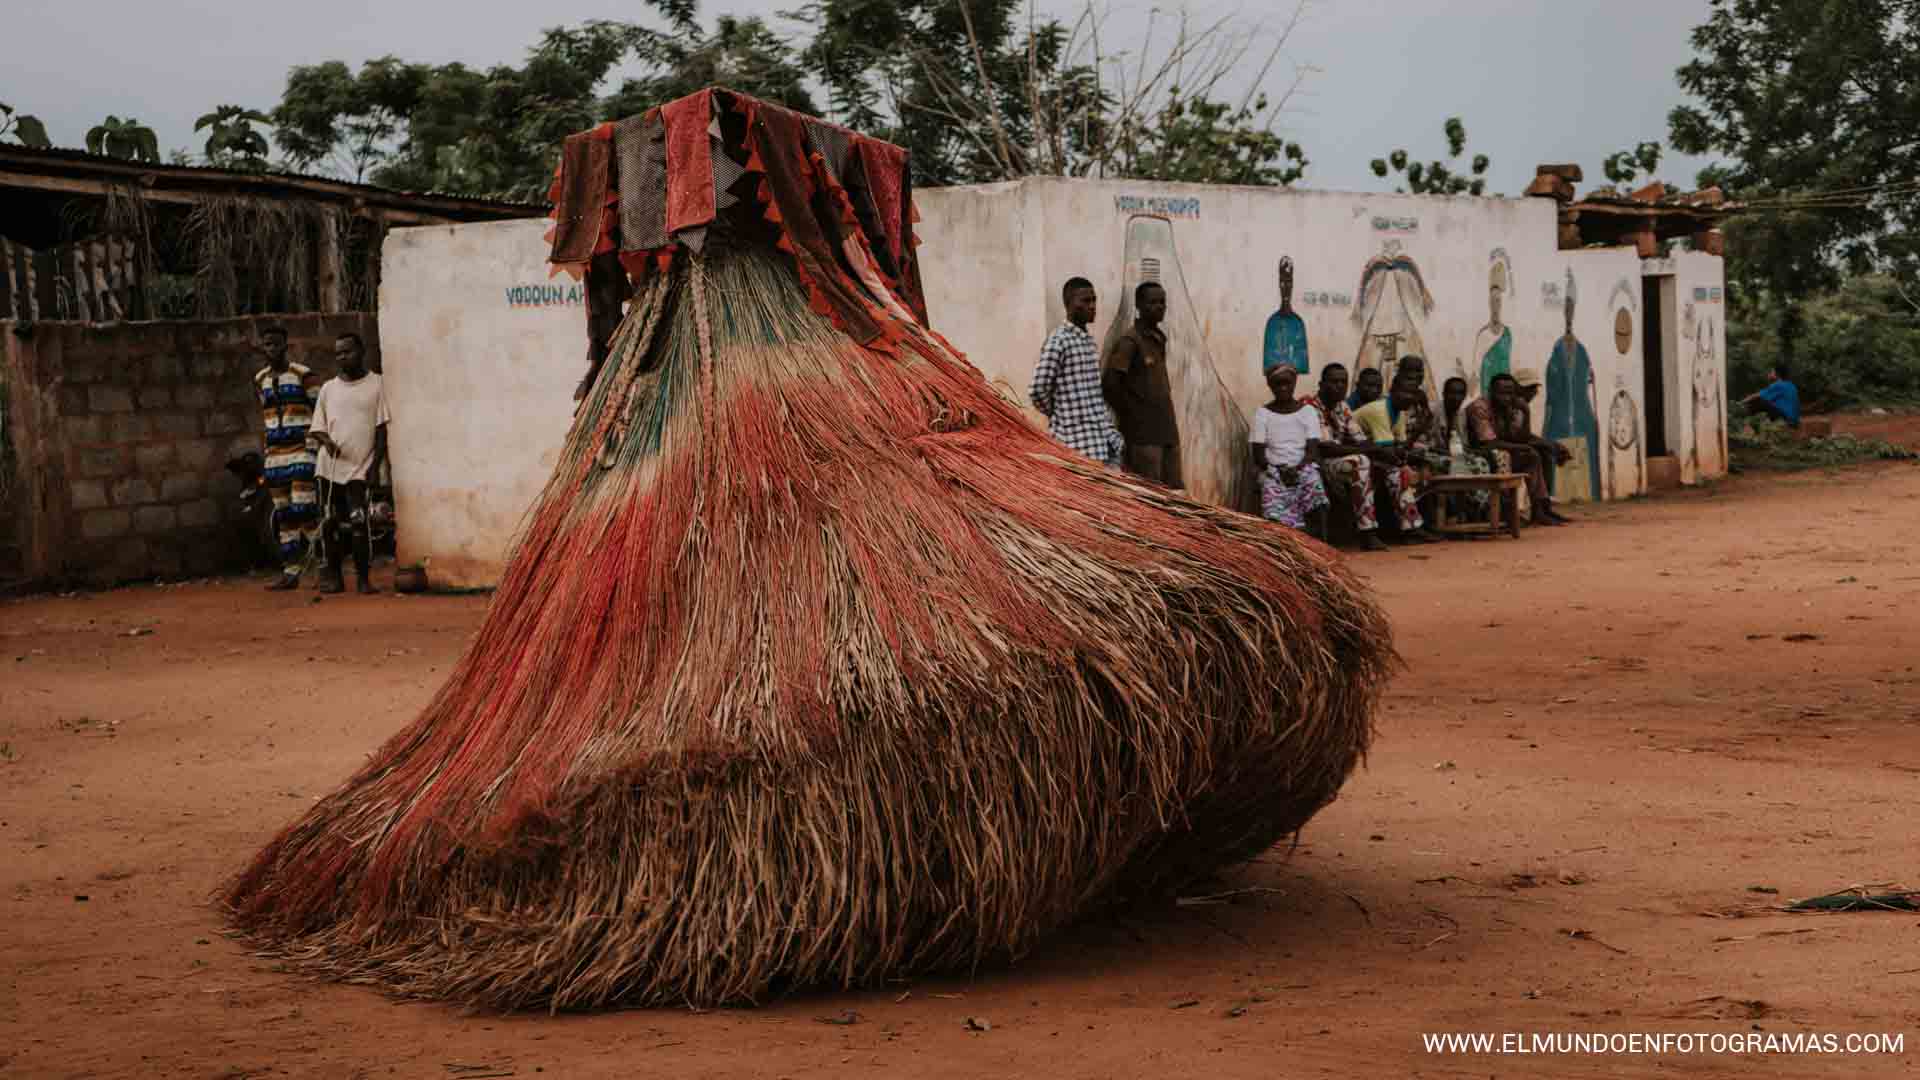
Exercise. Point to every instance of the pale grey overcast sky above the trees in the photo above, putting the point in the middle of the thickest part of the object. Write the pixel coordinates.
(1533, 80)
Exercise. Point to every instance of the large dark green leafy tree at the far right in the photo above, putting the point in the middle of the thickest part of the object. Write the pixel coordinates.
(1815, 109)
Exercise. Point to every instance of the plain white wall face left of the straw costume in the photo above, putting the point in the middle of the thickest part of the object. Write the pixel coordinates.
(481, 385)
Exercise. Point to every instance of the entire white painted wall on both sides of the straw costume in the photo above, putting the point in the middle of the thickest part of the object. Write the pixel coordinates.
(481, 385)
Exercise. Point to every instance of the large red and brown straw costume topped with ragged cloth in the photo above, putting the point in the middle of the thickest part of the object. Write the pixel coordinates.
(815, 662)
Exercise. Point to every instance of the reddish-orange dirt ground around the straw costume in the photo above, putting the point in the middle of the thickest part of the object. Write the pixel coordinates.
(1606, 729)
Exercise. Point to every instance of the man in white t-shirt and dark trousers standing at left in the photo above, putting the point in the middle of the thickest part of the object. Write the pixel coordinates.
(350, 430)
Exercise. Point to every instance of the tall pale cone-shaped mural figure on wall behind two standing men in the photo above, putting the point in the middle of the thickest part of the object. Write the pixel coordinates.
(1214, 435)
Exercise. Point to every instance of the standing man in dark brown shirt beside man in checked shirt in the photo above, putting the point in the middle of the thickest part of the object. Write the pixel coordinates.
(1134, 380)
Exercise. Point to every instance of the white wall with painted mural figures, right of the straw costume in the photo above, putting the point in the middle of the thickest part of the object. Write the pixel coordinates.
(1230, 247)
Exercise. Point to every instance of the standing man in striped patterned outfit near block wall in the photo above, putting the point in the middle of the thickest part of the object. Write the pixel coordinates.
(287, 393)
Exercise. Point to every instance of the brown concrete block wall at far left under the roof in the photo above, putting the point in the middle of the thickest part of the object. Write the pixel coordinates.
(120, 435)
